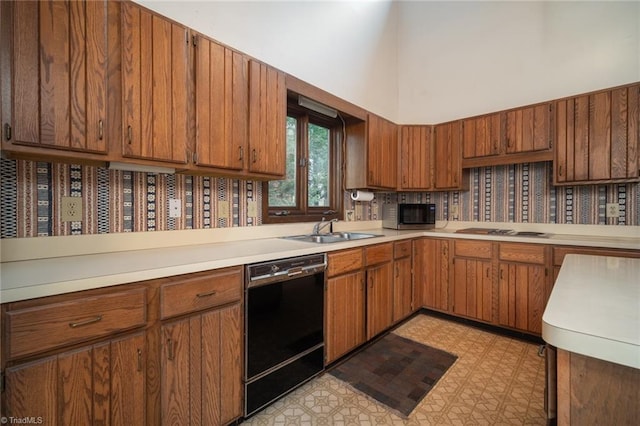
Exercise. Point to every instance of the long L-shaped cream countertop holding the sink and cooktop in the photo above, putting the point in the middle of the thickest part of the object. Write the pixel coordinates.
(45, 266)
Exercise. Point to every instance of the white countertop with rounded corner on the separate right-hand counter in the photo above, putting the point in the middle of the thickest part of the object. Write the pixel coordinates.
(594, 309)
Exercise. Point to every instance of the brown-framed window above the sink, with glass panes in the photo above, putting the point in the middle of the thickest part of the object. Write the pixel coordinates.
(311, 189)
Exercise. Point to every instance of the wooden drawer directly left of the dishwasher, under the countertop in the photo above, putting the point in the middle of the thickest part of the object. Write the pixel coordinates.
(200, 291)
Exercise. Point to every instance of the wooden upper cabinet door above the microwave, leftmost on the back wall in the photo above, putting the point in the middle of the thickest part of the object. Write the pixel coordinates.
(415, 158)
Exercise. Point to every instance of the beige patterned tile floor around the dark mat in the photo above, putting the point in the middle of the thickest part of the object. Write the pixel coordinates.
(496, 380)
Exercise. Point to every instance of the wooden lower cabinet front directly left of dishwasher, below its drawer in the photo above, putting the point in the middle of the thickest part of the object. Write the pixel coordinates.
(201, 368)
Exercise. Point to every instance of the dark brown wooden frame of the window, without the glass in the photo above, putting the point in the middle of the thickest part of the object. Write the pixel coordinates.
(302, 212)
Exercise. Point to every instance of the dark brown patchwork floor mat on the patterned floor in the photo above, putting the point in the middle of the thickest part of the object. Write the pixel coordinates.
(395, 371)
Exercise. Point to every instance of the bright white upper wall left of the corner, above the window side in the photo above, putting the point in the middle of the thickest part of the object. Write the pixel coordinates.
(347, 48)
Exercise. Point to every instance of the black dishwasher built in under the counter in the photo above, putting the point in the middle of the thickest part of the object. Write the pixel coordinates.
(284, 328)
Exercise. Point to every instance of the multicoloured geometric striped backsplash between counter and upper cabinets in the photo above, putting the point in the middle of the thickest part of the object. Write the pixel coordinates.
(120, 201)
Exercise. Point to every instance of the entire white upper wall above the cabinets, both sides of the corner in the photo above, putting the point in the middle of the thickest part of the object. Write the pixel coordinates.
(431, 61)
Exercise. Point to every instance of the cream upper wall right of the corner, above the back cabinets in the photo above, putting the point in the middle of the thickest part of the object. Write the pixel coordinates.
(459, 59)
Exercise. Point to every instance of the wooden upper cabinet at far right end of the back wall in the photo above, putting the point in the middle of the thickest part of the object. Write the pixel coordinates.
(598, 137)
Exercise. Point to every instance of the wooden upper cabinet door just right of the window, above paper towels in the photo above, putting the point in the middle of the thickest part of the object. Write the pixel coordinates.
(382, 153)
